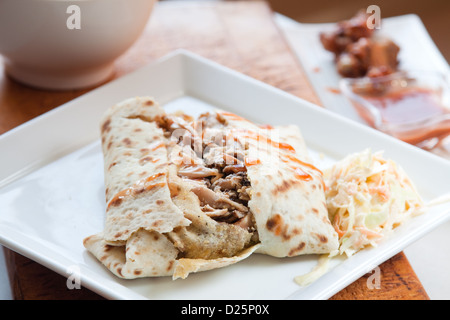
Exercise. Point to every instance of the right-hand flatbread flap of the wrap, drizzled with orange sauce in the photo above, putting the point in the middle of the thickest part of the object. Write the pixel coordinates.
(288, 200)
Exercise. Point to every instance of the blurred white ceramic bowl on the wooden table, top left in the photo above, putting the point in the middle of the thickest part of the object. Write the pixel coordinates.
(59, 44)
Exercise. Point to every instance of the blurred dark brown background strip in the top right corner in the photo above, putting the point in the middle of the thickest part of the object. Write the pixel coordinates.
(435, 14)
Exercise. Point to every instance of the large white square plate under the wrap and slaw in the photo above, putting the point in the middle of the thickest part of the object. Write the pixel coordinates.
(52, 191)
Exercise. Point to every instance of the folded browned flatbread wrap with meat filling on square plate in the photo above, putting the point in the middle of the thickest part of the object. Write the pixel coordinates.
(186, 195)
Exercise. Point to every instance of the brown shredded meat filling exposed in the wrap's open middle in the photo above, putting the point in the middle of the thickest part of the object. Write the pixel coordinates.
(213, 166)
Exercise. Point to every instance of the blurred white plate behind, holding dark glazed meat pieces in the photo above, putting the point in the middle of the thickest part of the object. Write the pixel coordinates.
(417, 52)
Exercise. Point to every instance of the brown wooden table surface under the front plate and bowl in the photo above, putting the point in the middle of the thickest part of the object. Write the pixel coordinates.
(240, 35)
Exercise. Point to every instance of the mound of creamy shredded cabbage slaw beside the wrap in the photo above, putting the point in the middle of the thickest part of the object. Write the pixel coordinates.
(368, 197)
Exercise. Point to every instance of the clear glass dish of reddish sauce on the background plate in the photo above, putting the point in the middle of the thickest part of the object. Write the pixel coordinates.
(413, 106)
